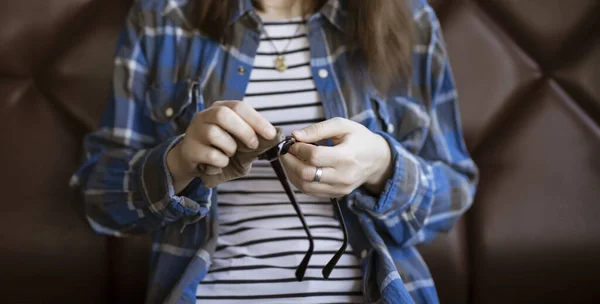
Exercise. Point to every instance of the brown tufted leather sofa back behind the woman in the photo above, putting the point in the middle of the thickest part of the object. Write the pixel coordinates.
(528, 74)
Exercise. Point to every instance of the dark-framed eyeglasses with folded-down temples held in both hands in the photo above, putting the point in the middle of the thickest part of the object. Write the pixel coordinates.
(272, 155)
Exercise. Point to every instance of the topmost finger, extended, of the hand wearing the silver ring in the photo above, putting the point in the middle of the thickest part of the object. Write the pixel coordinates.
(324, 130)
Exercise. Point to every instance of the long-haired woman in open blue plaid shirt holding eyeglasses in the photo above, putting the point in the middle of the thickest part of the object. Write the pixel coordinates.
(197, 82)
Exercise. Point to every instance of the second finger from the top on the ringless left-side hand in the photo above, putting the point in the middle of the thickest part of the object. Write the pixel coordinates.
(231, 122)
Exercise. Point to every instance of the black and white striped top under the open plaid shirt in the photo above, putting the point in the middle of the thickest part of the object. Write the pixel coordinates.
(261, 240)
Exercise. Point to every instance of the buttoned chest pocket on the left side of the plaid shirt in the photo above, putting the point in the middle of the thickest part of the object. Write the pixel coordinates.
(172, 105)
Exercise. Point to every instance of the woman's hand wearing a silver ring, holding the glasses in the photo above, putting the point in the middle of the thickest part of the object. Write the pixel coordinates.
(358, 157)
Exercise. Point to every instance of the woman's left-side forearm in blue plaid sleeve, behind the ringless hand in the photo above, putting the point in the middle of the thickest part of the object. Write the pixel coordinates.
(129, 191)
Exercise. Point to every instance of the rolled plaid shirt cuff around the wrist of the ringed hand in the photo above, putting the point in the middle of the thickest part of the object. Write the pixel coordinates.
(398, 188)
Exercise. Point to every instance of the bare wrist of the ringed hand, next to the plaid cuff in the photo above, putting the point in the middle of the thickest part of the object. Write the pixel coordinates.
(383, 164)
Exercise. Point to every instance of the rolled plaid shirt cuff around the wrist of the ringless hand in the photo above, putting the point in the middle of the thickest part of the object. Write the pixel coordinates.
(158, 190)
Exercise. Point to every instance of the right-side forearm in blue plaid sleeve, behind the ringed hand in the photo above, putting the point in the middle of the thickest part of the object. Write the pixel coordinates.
(421, 198)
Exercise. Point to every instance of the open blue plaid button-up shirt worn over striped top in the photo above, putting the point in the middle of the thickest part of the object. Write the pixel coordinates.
(166, 71)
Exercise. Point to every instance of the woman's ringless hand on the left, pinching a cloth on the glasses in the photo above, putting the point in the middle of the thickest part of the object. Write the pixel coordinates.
(209, 140)
